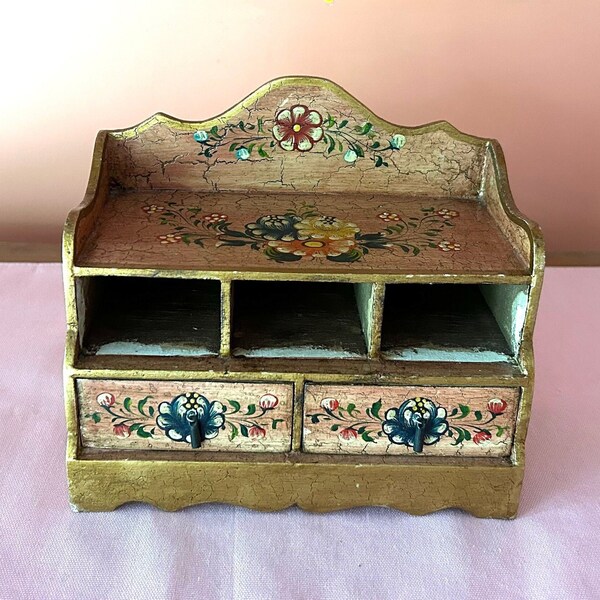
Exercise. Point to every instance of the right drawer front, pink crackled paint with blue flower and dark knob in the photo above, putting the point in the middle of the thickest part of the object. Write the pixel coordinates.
(402, 420)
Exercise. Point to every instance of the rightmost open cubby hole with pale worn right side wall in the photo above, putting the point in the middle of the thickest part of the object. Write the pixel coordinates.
(453, 322)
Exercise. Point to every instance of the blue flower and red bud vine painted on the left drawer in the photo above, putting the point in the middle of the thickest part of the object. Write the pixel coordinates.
(172, 418)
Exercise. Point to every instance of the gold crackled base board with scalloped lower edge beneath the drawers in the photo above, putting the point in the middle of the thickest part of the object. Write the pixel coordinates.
(484, 488)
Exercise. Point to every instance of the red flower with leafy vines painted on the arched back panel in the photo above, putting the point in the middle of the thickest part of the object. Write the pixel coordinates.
(300, 128)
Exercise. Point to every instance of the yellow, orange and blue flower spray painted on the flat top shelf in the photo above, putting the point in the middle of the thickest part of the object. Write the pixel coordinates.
(308, 233)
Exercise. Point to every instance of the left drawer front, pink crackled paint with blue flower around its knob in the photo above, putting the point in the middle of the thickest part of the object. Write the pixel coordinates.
(151, 415)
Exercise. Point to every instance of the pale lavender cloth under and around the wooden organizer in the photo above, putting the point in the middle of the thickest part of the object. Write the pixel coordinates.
(552, 550)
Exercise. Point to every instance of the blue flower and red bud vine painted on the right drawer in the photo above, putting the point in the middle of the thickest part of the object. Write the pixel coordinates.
(415, 423)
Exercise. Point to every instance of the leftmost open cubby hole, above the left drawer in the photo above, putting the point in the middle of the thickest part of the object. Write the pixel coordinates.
(149, 316)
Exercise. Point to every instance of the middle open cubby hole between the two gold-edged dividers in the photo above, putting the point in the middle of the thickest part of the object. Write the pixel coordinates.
(289, 319)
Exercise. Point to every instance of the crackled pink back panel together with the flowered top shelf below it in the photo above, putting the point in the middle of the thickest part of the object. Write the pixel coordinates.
(300, 175)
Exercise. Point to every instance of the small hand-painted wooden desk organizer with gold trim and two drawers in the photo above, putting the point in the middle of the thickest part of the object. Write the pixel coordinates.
(298, 303)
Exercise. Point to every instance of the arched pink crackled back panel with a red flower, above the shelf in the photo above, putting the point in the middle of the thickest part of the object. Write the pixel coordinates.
(299, 137)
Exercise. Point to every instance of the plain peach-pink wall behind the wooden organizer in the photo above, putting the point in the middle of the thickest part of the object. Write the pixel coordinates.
(526, 72)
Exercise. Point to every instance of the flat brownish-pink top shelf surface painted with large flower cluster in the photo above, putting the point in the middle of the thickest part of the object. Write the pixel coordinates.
(291, 233)
